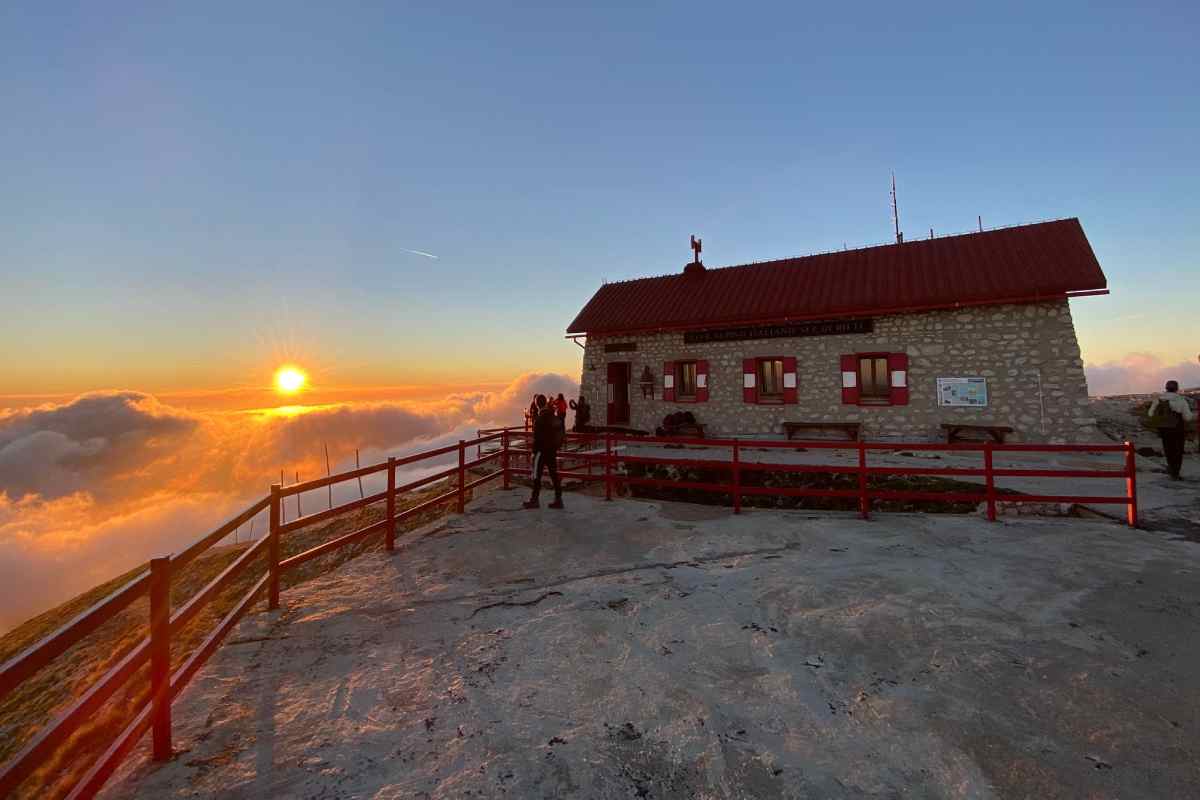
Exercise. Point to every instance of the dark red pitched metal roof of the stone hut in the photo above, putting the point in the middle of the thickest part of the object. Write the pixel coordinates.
(1021, 264)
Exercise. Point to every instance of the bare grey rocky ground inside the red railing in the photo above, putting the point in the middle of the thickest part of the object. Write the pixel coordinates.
(640, 649)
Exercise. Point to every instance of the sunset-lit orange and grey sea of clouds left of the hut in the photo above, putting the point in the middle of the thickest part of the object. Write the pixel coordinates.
(95, 486)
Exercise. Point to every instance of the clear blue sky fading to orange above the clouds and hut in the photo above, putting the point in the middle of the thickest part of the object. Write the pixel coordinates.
(191, 190)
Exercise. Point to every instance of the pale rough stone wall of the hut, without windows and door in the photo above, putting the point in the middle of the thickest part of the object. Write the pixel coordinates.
(1015, 347)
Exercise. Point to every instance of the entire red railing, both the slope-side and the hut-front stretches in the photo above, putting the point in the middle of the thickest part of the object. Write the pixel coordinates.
(601, 455)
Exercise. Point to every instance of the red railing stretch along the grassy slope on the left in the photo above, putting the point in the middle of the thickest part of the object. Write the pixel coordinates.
(155, 584)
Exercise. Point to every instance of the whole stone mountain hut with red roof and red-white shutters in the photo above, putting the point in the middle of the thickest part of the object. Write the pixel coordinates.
(902, 339)
